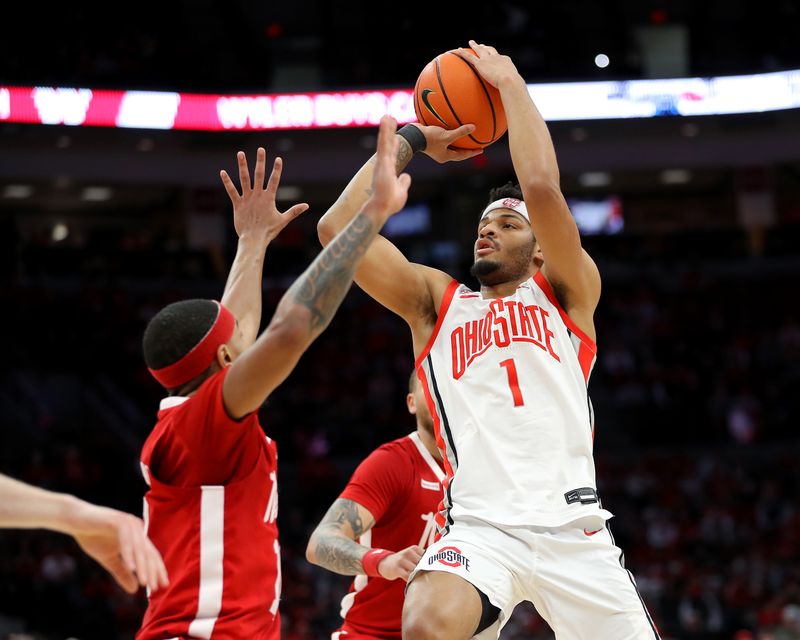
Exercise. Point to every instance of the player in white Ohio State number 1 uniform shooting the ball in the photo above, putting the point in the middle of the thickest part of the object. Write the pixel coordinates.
(505, 371)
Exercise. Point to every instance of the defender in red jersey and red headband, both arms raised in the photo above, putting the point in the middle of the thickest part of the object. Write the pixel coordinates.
(212, 503)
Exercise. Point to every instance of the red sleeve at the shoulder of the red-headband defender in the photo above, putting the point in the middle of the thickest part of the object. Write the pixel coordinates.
(202, 444)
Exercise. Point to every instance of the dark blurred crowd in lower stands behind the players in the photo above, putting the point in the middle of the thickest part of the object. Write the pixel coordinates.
(693, 393)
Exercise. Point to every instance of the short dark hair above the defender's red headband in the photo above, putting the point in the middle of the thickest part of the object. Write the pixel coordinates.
(176, 330)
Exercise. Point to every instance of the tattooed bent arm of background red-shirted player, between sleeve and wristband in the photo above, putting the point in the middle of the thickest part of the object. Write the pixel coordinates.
(336, 548)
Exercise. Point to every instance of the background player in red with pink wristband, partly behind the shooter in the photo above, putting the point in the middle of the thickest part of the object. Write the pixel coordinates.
(380, 525)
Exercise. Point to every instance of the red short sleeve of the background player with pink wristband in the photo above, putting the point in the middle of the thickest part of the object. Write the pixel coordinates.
(380, 480)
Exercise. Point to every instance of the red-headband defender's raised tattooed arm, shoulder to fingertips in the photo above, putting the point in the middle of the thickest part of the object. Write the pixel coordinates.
(308, 306)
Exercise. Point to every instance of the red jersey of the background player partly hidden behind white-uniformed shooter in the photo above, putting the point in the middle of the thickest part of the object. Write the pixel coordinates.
(401, 485)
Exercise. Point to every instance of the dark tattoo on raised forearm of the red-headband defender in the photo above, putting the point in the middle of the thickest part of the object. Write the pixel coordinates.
(325, 283)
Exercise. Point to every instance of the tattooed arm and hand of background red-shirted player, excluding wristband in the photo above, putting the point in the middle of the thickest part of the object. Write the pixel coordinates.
(333, 544)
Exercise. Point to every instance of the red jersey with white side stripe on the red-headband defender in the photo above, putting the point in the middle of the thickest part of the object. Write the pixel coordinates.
(211, 511)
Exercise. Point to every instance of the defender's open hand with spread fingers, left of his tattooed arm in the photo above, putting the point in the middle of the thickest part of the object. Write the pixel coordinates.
(254, 210)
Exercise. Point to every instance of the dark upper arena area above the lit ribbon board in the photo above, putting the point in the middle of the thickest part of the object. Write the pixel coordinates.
(245, 46)
